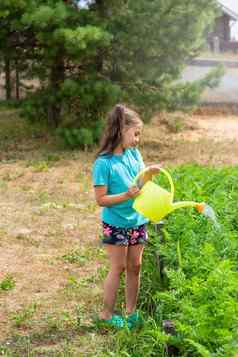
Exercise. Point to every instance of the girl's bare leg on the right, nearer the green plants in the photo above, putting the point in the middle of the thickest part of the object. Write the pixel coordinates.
(134, 260)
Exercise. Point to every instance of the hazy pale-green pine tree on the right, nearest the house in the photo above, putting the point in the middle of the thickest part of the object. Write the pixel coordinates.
(152, 41)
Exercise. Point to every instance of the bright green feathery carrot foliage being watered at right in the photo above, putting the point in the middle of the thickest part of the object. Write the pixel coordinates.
(190, 272)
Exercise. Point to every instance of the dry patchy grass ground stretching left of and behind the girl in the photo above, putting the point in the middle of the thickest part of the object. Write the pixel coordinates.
(52, 266)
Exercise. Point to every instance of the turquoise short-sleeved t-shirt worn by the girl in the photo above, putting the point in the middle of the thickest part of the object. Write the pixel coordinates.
(117, 173)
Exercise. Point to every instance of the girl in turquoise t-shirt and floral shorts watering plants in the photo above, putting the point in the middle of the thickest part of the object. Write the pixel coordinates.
(124, 233)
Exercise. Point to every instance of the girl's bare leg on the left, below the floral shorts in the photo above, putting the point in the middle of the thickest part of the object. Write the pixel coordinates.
(117, 256)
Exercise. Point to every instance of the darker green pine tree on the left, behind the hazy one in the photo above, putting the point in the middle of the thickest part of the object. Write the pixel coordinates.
(67, 45)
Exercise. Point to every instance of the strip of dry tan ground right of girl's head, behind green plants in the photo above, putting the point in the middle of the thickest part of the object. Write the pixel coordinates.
(206, 139)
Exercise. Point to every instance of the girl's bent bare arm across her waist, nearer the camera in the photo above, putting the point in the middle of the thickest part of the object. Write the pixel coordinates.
(104, 200)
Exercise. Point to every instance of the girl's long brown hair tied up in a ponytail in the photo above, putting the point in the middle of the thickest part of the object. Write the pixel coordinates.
(119, 118)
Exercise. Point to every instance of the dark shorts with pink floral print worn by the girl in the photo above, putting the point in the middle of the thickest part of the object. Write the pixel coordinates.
(124, 236)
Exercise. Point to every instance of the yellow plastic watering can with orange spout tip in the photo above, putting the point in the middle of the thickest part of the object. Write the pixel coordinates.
(154, 202)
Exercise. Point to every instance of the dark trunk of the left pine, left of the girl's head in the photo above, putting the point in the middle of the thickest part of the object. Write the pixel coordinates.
(57, 75)
